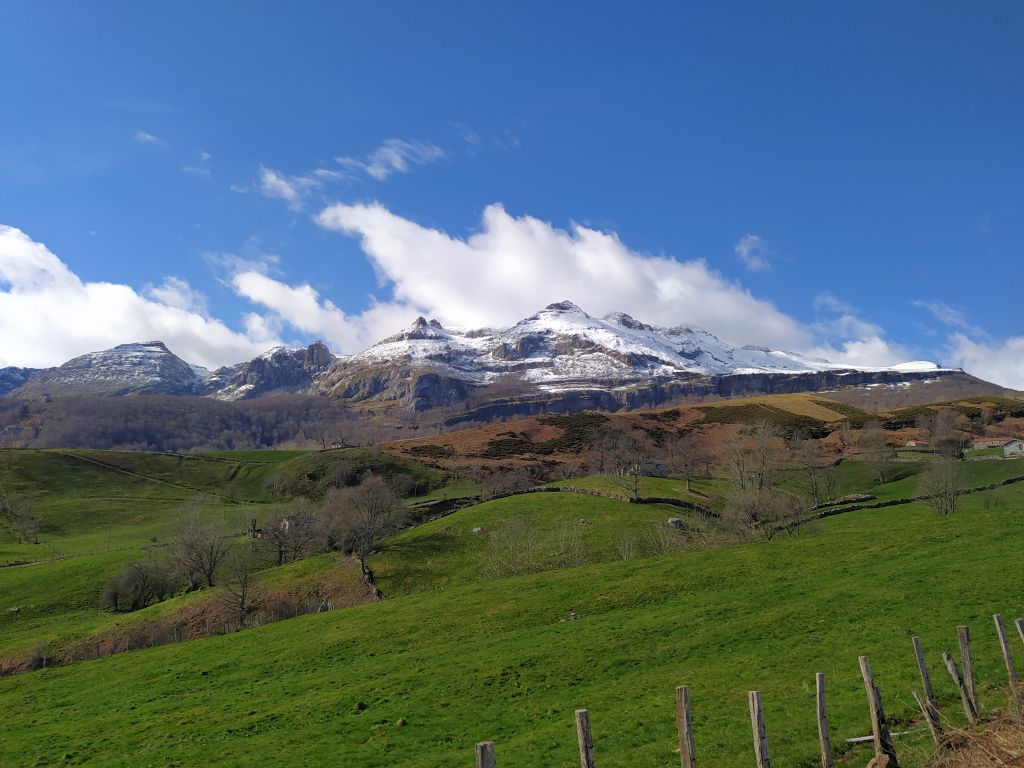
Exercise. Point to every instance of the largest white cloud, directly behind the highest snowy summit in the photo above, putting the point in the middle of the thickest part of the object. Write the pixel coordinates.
(515, 267)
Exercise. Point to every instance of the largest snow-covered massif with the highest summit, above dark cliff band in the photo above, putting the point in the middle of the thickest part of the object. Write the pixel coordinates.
(560, 350)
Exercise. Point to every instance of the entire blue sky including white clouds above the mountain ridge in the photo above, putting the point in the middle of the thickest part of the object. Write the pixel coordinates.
(842, 180)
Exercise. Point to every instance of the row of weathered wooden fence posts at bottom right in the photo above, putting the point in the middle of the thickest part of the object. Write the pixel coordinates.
(882, 738)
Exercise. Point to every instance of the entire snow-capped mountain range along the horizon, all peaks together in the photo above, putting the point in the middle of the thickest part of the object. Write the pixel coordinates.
(561, 359)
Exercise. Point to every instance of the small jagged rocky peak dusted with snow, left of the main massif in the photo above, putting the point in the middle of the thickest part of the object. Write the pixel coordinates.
(279, 371)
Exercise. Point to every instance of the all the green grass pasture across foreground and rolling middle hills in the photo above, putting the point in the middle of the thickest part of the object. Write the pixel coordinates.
(457, 654)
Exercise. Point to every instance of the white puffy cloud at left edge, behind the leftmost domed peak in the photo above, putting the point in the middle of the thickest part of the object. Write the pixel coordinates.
(49, 315)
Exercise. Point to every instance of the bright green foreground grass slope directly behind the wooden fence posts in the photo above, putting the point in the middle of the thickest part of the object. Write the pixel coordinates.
(417, 680)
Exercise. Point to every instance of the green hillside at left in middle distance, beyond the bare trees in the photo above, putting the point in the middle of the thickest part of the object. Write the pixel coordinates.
(100, 508)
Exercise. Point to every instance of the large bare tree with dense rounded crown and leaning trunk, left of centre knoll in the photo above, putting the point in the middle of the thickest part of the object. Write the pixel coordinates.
(359, 518)
